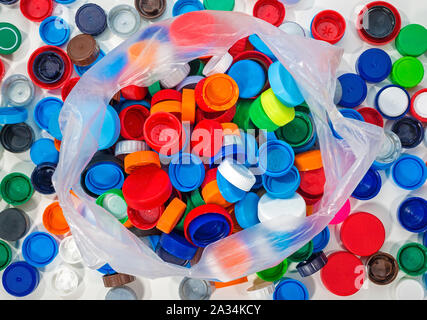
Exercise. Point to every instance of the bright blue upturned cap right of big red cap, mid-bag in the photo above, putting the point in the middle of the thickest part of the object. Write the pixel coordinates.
(186, 172)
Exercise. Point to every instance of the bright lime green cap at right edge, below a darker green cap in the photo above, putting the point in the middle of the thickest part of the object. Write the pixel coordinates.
(407, 72)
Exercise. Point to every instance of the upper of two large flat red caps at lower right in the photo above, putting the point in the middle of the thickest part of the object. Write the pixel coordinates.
(362, 234)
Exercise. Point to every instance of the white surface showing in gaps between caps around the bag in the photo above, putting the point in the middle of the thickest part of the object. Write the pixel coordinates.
(383, 206)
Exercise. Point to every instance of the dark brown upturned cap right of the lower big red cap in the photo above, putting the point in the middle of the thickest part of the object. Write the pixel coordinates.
(382, 268)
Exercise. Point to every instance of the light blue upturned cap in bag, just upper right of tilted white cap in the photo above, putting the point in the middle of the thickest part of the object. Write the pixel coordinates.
(276, 157)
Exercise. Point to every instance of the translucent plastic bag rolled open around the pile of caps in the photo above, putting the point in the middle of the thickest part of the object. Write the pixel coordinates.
(155, 52)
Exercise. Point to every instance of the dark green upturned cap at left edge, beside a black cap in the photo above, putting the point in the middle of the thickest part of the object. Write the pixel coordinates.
(16, 188)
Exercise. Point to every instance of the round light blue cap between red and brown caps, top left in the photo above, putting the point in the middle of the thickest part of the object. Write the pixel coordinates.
(54, 31)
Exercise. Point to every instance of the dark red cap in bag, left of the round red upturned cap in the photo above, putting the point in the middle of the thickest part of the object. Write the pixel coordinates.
(132, 119)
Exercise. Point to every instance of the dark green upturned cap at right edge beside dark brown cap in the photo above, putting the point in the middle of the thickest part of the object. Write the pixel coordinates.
(412, 259)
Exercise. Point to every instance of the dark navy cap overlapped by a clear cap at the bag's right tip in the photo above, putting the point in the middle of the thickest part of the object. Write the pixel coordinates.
(410, 132)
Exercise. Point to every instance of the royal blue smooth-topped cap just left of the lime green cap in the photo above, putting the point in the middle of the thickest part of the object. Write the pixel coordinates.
(374, 65)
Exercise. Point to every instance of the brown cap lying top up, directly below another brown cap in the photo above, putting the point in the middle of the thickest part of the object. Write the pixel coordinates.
(83, 50)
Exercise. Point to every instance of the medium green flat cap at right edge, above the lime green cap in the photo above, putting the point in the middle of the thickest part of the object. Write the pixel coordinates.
(412, 40)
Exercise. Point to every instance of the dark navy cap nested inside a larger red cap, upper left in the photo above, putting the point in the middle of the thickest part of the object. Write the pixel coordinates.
(48, 67)
